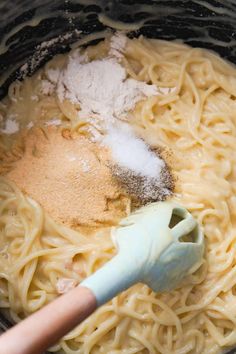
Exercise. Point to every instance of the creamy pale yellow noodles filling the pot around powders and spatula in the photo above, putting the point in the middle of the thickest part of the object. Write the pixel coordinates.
(196, 122)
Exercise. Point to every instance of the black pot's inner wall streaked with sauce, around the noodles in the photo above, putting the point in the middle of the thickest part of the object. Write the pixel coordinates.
(26, 24)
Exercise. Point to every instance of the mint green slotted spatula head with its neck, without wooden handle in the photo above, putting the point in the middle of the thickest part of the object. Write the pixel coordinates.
(158, 245)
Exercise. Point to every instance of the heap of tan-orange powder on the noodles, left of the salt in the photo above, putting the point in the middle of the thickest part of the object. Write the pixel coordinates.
(69, 177)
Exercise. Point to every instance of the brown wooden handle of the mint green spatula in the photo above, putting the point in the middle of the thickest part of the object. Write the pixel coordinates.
(45, 327)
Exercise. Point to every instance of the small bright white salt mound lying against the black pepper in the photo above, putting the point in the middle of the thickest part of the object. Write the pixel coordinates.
(130, 152)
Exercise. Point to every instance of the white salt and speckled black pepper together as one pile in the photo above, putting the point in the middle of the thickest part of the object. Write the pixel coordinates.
(141, 171)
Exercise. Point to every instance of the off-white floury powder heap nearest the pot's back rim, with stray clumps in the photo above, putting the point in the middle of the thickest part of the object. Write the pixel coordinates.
(100, 87)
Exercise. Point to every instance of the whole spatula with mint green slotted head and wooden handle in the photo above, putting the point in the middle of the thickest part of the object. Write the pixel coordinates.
(158, 245)
